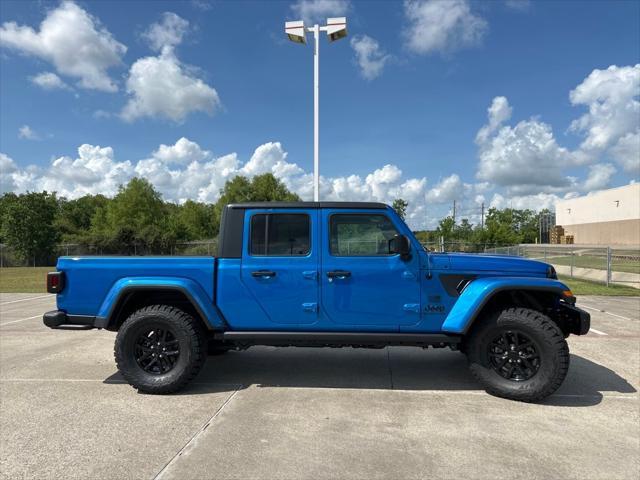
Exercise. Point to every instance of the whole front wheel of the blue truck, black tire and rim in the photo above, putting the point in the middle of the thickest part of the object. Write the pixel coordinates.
(519, 354)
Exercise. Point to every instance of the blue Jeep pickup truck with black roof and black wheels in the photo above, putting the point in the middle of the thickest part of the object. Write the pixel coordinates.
(321, 274)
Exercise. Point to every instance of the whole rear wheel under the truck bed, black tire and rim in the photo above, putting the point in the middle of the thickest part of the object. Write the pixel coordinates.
(159, 349)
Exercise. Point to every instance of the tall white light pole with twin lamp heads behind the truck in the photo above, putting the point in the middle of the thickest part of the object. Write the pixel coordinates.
(336, 29)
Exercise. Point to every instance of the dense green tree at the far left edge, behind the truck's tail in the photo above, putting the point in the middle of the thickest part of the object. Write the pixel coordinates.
(28, 225)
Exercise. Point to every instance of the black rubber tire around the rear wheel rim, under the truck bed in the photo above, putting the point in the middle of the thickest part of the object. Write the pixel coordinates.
(180, 321)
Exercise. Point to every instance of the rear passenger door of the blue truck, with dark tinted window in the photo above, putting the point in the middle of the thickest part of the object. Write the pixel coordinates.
(280, 262)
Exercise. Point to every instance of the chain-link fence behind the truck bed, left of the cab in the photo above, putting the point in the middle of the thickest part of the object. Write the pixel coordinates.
(9, 258)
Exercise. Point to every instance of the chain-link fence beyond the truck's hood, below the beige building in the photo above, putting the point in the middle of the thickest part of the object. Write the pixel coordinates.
(596, 263)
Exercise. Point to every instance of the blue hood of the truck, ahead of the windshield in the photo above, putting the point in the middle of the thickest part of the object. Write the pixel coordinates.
(498, 264)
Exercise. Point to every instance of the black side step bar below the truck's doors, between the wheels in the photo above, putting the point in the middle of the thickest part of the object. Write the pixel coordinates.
(338, 339)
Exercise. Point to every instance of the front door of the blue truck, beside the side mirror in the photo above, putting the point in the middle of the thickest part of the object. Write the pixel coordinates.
(361, 282)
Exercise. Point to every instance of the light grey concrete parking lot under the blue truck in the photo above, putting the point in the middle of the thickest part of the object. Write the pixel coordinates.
(312, 413)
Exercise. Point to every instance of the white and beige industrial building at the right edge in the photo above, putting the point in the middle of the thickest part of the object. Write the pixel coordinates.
(608, 217)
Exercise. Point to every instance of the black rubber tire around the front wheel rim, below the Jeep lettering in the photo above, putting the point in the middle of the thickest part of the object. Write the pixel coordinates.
(547, 333)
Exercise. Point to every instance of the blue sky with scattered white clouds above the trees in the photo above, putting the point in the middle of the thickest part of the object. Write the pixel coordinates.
(506, 103)
